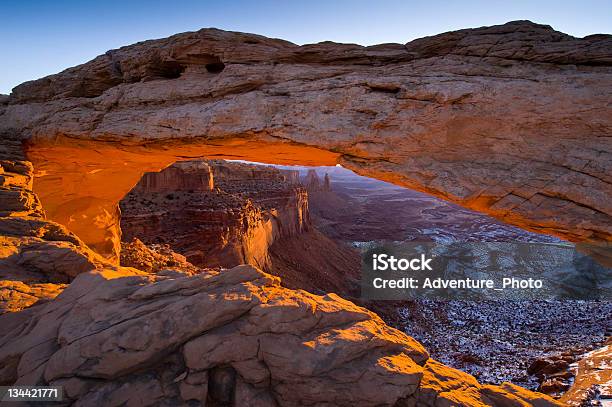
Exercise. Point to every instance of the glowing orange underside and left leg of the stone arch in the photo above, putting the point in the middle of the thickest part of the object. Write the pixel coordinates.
(81, 182)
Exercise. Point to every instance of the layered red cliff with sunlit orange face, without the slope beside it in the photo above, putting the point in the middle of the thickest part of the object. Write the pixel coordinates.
(216, 213)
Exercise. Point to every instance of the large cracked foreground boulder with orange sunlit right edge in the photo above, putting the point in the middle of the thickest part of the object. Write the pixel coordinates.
(235, 337)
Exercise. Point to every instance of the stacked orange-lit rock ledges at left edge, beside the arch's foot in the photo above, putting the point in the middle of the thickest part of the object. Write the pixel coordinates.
(37, 256)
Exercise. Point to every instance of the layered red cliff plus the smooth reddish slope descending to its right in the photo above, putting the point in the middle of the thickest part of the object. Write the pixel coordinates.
(221, 214)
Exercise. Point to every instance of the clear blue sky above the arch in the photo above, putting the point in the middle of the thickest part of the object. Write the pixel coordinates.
(44, 37)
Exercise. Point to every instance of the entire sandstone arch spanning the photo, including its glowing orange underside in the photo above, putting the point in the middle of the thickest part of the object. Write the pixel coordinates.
(514, 120)
